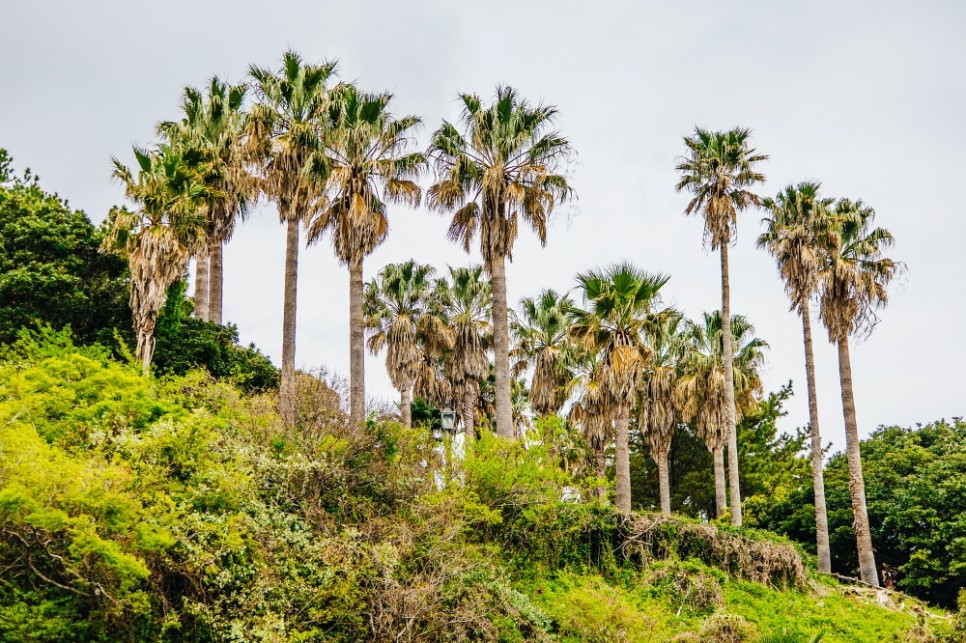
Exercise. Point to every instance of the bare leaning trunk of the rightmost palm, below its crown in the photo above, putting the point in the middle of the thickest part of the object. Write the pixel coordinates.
(860, 524)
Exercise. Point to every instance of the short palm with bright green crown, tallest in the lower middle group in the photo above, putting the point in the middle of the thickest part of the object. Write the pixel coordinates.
(620, 301)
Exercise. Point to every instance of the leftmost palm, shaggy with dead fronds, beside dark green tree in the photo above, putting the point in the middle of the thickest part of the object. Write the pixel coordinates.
(159, 238)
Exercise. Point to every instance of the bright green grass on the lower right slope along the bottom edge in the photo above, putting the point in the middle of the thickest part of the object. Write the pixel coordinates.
(586, 606)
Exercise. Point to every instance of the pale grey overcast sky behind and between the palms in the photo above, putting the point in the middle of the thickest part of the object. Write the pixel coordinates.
(867, 97)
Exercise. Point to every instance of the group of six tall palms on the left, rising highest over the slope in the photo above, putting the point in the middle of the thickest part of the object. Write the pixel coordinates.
(331, 158)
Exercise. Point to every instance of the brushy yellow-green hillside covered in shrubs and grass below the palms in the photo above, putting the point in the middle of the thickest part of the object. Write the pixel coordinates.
(134, 509)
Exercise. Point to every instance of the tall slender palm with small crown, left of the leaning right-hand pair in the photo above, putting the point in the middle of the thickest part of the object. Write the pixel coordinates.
(718, 171)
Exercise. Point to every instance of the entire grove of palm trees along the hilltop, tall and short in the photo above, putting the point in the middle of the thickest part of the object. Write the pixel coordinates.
(333, 157)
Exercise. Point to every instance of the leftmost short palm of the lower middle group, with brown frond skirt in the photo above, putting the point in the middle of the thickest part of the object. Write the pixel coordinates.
(396, 302)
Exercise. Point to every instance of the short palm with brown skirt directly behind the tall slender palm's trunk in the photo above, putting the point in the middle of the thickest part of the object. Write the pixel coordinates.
(700, 392)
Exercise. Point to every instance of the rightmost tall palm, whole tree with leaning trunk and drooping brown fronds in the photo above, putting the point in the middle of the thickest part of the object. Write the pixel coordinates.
(853, 278)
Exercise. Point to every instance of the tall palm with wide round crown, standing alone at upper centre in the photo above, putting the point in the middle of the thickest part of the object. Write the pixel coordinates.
(501, 167)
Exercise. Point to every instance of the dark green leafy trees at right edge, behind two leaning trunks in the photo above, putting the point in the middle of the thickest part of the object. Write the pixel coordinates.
(916, 491)
